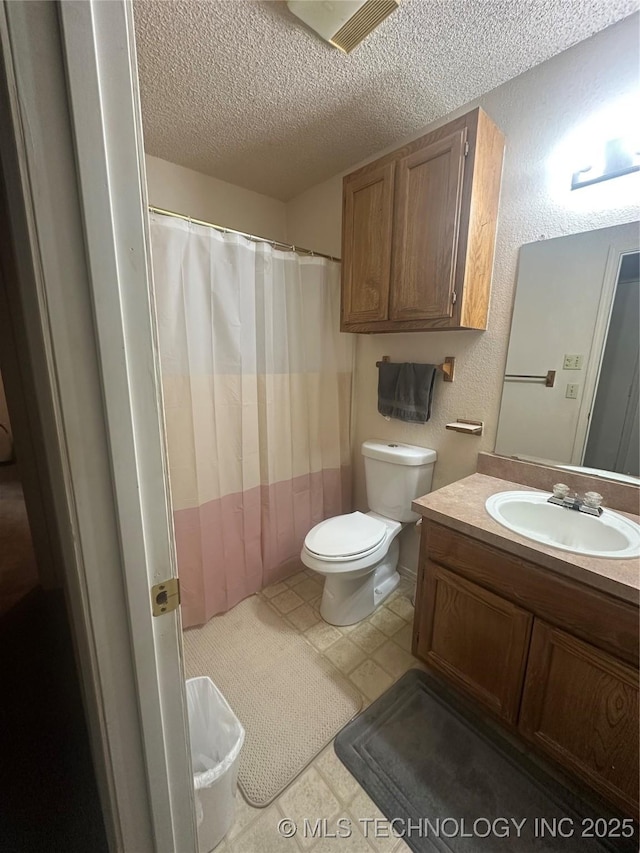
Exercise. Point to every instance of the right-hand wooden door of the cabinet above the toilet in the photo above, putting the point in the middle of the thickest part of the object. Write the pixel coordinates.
(427, 218)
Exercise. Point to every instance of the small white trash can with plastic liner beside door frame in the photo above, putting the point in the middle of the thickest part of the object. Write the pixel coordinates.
(216, 736)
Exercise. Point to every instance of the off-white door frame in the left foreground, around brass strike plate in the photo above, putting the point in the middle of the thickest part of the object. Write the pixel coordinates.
(73, 167)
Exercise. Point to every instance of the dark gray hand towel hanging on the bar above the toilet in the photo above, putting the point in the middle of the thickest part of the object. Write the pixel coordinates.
(405, 391)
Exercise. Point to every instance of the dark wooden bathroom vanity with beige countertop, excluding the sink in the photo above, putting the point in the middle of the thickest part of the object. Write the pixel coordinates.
(545, 640)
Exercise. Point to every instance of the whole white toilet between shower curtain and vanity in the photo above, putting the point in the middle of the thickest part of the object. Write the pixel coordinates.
(358, 553)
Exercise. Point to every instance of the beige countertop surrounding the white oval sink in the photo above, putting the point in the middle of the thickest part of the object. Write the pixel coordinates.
(460, 506)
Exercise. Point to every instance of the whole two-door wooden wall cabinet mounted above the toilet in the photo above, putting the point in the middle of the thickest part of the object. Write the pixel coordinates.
(419, 229)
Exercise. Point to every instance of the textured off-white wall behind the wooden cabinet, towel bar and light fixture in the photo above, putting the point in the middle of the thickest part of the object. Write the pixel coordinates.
(539, 112)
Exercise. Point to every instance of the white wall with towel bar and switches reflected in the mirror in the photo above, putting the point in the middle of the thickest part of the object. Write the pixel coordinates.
(560, 283)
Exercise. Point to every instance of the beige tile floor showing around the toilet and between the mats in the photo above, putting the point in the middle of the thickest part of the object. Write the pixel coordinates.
(372, 655)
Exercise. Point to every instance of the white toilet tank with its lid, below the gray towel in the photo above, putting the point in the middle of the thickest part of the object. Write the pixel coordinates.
(395, 475)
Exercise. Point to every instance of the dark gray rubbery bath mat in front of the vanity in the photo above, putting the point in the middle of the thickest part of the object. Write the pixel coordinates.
(422, 755)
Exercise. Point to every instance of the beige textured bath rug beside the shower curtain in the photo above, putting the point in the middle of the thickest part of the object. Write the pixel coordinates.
(291, 701)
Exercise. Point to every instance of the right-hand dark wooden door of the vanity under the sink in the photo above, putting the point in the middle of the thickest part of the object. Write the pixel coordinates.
(580, 706)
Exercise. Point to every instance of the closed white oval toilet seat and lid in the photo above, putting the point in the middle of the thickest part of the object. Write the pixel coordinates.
(346, 537)
